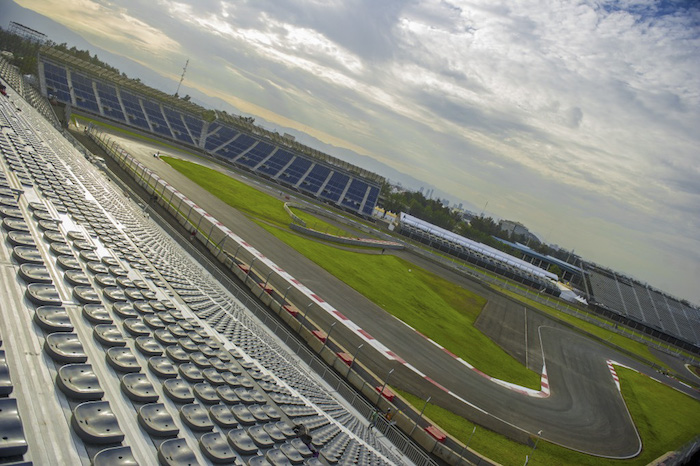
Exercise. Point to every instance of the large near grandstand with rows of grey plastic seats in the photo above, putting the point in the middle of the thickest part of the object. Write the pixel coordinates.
(116, 348)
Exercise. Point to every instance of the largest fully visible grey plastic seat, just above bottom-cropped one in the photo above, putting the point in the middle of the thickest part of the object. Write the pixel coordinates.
(95, 423)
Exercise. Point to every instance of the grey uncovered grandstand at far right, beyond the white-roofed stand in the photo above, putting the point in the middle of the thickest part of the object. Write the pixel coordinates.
(643, 307)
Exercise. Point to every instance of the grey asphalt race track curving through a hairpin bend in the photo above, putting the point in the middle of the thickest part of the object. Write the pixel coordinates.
(584, 411)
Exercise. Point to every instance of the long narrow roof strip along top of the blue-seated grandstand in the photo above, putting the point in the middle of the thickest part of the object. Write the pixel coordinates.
(192, 108)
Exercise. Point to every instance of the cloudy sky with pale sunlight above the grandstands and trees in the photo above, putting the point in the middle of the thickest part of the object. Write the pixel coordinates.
(580, 119)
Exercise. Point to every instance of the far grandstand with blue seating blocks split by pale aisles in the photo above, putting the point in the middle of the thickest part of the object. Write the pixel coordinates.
(102, 93)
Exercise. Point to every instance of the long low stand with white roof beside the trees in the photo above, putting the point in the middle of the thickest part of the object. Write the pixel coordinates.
(479, 254)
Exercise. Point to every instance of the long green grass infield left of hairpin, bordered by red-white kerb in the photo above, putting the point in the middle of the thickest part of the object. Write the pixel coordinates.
(423, 300)
